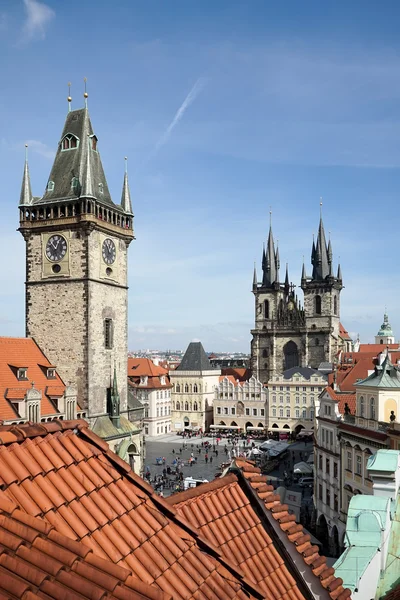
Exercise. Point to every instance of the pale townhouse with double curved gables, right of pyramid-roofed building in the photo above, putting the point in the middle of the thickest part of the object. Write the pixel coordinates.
(240, 405)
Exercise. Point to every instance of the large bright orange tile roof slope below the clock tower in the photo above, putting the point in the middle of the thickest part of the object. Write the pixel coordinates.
(67, 476)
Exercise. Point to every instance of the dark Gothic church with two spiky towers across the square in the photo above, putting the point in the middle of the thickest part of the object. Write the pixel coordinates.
(287, 334)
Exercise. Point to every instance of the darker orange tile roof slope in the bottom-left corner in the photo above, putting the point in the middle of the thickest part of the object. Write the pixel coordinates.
(37, 561)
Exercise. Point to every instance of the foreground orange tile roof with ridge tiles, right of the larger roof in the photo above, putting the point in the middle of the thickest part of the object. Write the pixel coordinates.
(226, 511)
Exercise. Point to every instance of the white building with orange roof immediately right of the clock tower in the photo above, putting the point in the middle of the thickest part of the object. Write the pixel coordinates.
(150, 385)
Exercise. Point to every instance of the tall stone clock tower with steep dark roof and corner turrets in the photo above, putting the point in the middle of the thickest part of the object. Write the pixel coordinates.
(77, 243)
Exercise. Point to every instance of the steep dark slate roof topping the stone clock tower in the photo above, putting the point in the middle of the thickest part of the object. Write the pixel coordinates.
(82, 161)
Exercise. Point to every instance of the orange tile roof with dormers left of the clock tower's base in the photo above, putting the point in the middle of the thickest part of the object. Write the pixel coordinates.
(24, 352)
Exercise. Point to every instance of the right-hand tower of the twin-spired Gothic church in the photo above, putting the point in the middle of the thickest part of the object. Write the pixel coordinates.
(322, 303)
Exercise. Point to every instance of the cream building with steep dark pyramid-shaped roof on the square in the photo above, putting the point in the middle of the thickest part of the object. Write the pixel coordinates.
(194, 382)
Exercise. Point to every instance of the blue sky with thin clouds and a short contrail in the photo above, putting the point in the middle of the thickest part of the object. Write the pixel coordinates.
(224, 109)
